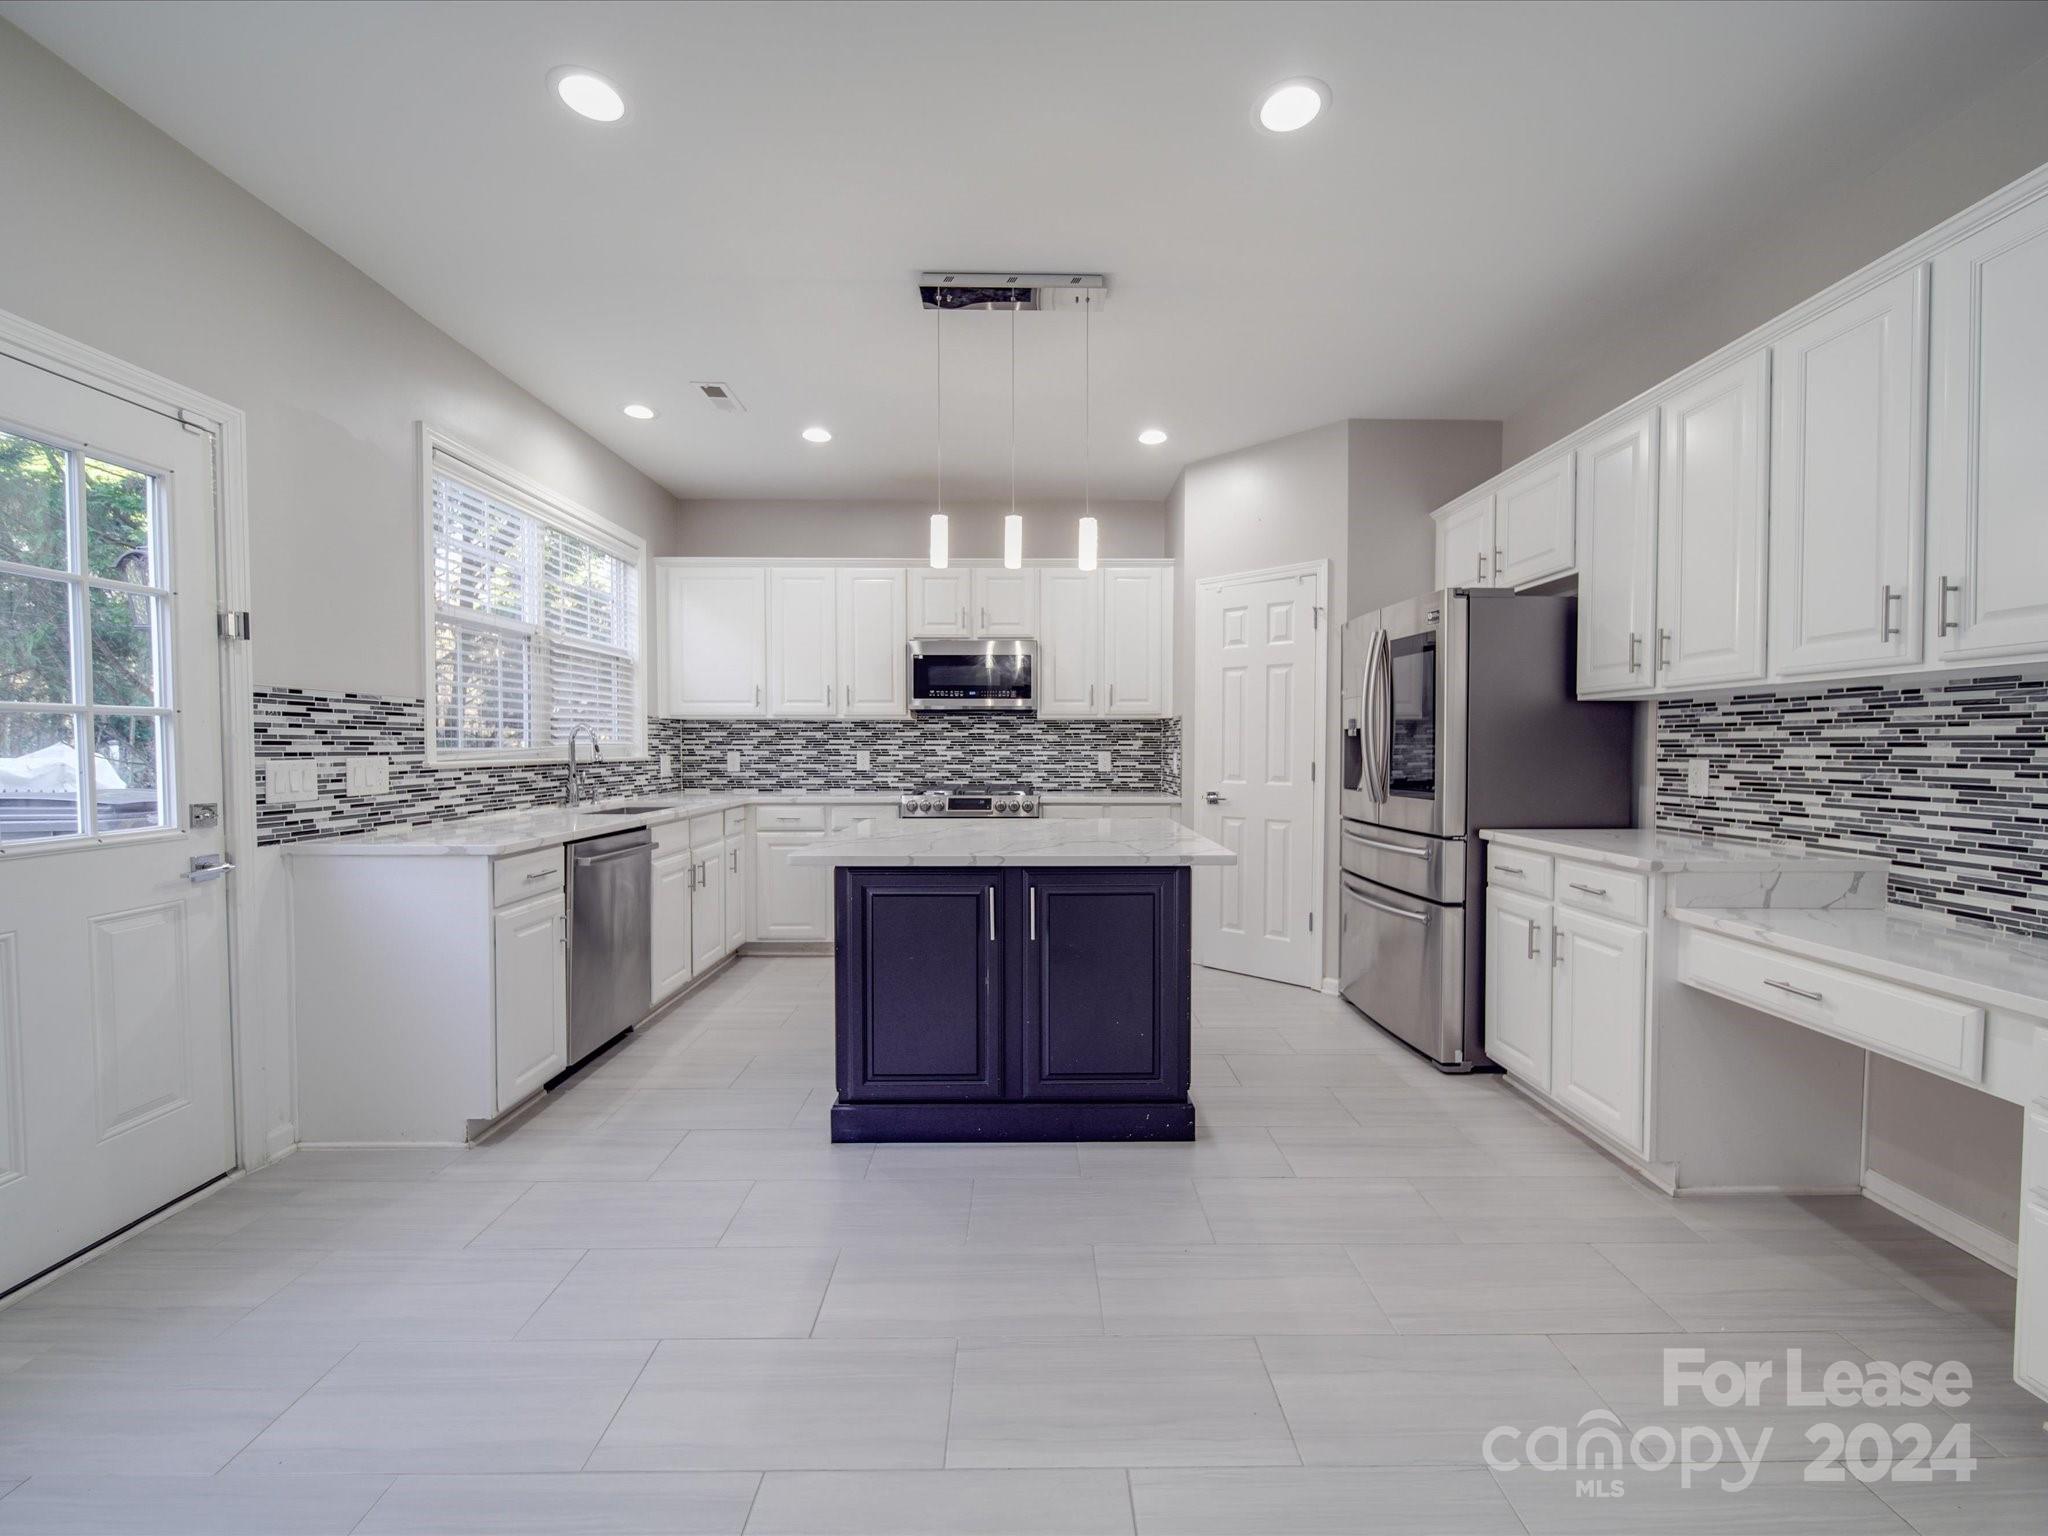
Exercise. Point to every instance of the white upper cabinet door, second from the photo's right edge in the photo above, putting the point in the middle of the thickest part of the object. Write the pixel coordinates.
(1848, 404)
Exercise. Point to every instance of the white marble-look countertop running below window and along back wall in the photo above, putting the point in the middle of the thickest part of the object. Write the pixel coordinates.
(499, 835)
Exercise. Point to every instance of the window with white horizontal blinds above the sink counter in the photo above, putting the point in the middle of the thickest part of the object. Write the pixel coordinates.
(536, 620)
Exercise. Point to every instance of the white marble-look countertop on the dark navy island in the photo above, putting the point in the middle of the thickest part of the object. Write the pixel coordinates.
(1086, 841)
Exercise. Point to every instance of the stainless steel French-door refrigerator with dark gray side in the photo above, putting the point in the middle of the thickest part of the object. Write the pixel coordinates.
(1459, 714)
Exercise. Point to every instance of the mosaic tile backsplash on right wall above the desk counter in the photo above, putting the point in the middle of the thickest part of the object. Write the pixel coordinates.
(1945, 779)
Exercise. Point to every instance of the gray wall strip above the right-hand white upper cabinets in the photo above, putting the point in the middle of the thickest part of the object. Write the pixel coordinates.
(1897, 196)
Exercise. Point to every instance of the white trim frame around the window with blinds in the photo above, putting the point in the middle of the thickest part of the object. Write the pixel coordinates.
(558, 513)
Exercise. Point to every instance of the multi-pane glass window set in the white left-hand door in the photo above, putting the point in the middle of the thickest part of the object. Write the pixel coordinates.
(85, 644)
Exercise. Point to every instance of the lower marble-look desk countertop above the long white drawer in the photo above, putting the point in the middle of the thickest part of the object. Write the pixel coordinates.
(1904, 945)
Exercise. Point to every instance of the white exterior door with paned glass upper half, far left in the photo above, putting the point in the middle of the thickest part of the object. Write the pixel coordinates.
(116, 1072)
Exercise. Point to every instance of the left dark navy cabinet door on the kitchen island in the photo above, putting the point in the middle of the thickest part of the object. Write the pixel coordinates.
(921, 984)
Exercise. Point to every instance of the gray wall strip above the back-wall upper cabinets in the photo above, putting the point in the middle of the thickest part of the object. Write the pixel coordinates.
(902, 529)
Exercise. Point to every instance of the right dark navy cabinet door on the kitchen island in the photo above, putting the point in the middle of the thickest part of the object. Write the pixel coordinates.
(1105, 984)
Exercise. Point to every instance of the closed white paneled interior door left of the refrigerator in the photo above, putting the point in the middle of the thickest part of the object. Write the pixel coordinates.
(1258, 665)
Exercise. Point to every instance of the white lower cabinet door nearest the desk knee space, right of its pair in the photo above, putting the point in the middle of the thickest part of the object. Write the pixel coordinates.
(1598, 1021)
